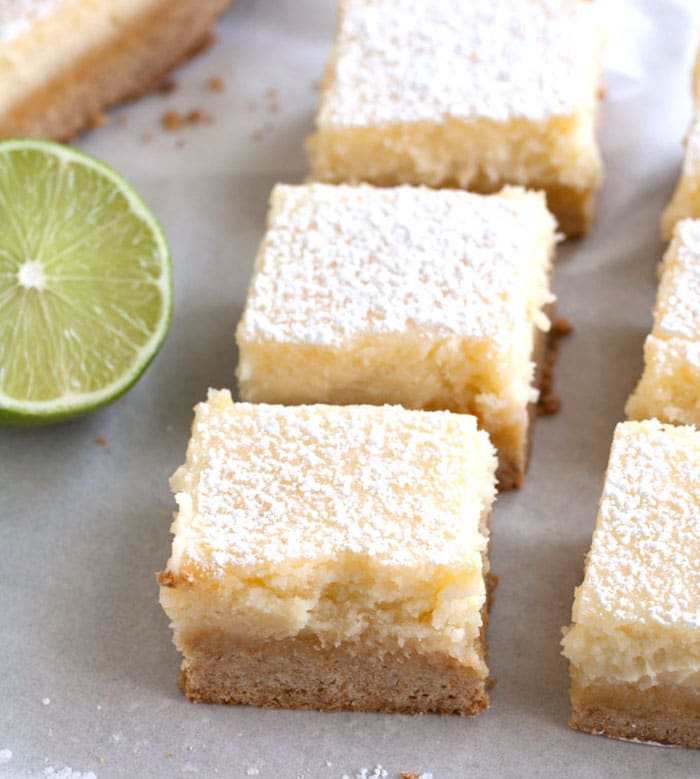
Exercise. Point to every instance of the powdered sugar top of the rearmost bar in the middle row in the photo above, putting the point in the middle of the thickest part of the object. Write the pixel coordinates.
(408, 60)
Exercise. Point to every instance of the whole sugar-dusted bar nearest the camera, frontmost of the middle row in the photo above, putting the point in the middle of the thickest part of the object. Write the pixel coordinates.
(332, 557)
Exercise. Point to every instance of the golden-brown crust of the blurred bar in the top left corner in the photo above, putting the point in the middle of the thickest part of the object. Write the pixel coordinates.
(136, 62)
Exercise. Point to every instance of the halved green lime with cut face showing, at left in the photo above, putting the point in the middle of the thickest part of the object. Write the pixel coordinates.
(85, 283)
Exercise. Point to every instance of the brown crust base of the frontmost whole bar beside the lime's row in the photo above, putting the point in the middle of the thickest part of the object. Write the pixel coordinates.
(285, 674)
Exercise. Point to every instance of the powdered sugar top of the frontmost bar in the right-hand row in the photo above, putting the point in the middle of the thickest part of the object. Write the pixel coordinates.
(644, 563)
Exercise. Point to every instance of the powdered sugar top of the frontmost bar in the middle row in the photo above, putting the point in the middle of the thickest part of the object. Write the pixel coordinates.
(265, 484)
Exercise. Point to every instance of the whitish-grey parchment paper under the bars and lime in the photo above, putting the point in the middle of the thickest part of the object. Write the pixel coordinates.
(87, 669)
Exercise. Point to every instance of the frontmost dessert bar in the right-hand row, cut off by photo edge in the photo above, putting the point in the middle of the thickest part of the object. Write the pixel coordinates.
(634, 646)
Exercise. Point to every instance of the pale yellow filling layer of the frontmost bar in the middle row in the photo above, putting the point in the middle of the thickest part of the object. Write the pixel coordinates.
(427, 609)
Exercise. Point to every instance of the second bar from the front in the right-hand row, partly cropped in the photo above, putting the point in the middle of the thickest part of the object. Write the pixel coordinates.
(670, 385)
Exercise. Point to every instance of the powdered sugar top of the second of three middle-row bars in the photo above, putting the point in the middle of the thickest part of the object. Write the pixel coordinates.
(339, 262)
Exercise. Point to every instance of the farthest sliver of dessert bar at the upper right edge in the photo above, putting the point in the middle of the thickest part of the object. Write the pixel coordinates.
(685, 202)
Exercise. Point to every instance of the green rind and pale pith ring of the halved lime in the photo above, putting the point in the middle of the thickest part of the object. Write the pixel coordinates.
(69, 404)
